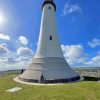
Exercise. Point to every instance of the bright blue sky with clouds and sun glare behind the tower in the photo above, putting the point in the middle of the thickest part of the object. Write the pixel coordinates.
(78, 25)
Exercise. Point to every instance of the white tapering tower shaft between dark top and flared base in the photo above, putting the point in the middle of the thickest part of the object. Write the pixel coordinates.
(47, 47)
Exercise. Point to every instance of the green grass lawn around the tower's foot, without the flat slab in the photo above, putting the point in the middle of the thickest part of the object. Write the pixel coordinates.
(85, 90)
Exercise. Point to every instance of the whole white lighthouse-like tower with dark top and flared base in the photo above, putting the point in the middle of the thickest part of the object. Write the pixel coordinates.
(48, 64)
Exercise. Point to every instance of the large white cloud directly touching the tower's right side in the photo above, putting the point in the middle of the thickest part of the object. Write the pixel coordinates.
(74, 54)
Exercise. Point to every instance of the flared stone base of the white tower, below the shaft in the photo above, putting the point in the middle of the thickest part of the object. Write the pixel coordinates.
(49, 70)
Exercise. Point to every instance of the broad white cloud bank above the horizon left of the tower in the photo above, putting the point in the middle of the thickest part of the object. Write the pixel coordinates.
(14, 60)
